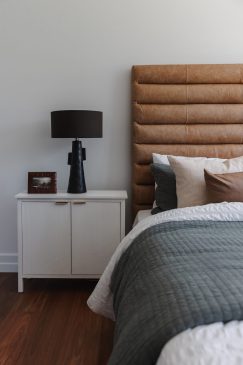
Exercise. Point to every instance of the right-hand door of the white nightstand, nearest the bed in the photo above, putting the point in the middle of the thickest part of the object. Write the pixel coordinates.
(96, 232)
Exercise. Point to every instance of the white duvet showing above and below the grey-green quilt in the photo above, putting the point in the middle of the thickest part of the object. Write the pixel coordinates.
(212, 344)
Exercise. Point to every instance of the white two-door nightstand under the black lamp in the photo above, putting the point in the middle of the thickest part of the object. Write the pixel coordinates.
(68, 235)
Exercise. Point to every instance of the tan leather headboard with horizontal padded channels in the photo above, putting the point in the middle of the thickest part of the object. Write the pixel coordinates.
(190, 110)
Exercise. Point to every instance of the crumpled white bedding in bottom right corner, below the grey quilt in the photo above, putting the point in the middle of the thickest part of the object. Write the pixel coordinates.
(214, 344)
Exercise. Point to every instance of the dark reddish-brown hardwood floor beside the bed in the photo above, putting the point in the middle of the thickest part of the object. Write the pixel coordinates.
(50, 324)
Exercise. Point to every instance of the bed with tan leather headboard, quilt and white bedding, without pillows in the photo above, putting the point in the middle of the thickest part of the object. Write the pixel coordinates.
(174, 284)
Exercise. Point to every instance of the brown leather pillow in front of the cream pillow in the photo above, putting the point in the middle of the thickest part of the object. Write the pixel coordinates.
(224, 187)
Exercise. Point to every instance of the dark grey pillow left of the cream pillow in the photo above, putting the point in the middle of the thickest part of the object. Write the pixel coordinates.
(165, 193)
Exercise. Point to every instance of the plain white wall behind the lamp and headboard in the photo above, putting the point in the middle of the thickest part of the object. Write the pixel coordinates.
(57, 54)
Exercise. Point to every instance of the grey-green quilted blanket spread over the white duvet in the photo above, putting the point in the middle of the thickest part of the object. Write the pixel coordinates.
(174, 276)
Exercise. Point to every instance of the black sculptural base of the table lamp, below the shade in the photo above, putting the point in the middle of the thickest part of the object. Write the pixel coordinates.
(76, 183)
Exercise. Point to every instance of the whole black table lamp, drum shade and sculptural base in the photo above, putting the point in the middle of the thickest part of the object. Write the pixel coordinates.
(76, 124)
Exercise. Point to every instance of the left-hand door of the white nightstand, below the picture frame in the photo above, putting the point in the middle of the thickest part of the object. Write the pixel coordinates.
(46, 238)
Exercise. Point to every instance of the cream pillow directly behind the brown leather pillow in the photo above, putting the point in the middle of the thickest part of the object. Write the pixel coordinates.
(189, 171)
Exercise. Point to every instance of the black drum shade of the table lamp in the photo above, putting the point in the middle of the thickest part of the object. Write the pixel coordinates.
(76, 124)
